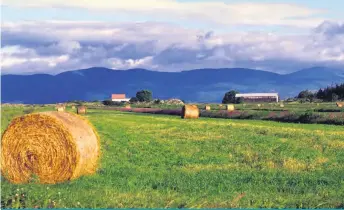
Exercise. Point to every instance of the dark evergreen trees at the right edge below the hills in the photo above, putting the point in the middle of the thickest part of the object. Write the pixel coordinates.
(331, 93)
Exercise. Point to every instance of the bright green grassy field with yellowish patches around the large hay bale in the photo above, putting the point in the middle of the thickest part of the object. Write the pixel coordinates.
(164, 161)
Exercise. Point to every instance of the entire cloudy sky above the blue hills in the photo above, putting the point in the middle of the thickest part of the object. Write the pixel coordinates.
(282, 36)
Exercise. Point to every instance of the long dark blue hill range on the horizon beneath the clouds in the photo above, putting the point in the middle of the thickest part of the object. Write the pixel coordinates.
(201, 85)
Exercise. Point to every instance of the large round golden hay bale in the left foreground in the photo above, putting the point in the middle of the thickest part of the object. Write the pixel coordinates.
(52, 146)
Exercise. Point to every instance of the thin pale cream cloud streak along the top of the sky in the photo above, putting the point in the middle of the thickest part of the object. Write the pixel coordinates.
(213, 12)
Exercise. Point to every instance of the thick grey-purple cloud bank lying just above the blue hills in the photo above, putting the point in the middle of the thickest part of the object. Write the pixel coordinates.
(53, 47)
